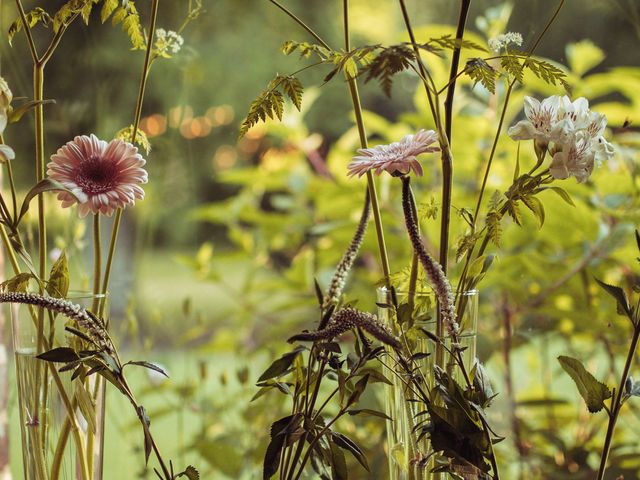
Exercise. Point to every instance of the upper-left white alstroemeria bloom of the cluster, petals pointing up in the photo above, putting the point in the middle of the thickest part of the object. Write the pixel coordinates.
(542, 122)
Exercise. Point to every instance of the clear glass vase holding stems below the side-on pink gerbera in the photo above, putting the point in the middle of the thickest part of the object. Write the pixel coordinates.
(410, 458)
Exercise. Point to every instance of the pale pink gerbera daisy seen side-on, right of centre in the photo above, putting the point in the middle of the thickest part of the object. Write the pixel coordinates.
(397, 157)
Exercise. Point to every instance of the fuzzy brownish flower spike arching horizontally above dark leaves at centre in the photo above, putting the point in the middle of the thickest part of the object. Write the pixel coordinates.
(346, 319)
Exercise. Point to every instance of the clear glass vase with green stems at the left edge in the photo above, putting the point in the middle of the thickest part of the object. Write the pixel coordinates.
(61, 420)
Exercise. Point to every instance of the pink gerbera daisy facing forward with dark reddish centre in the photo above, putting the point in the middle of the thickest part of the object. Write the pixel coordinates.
(102, 176)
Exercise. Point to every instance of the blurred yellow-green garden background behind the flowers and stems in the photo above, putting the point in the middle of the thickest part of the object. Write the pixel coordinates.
(216, 266)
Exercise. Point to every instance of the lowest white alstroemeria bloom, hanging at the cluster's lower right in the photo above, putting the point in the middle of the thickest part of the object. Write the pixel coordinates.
(574, 160)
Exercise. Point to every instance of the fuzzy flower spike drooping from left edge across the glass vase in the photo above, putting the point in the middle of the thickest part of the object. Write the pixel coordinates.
(86, 320)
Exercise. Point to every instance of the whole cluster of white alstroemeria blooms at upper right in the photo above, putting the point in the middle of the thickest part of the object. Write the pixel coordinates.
(575, 131)
